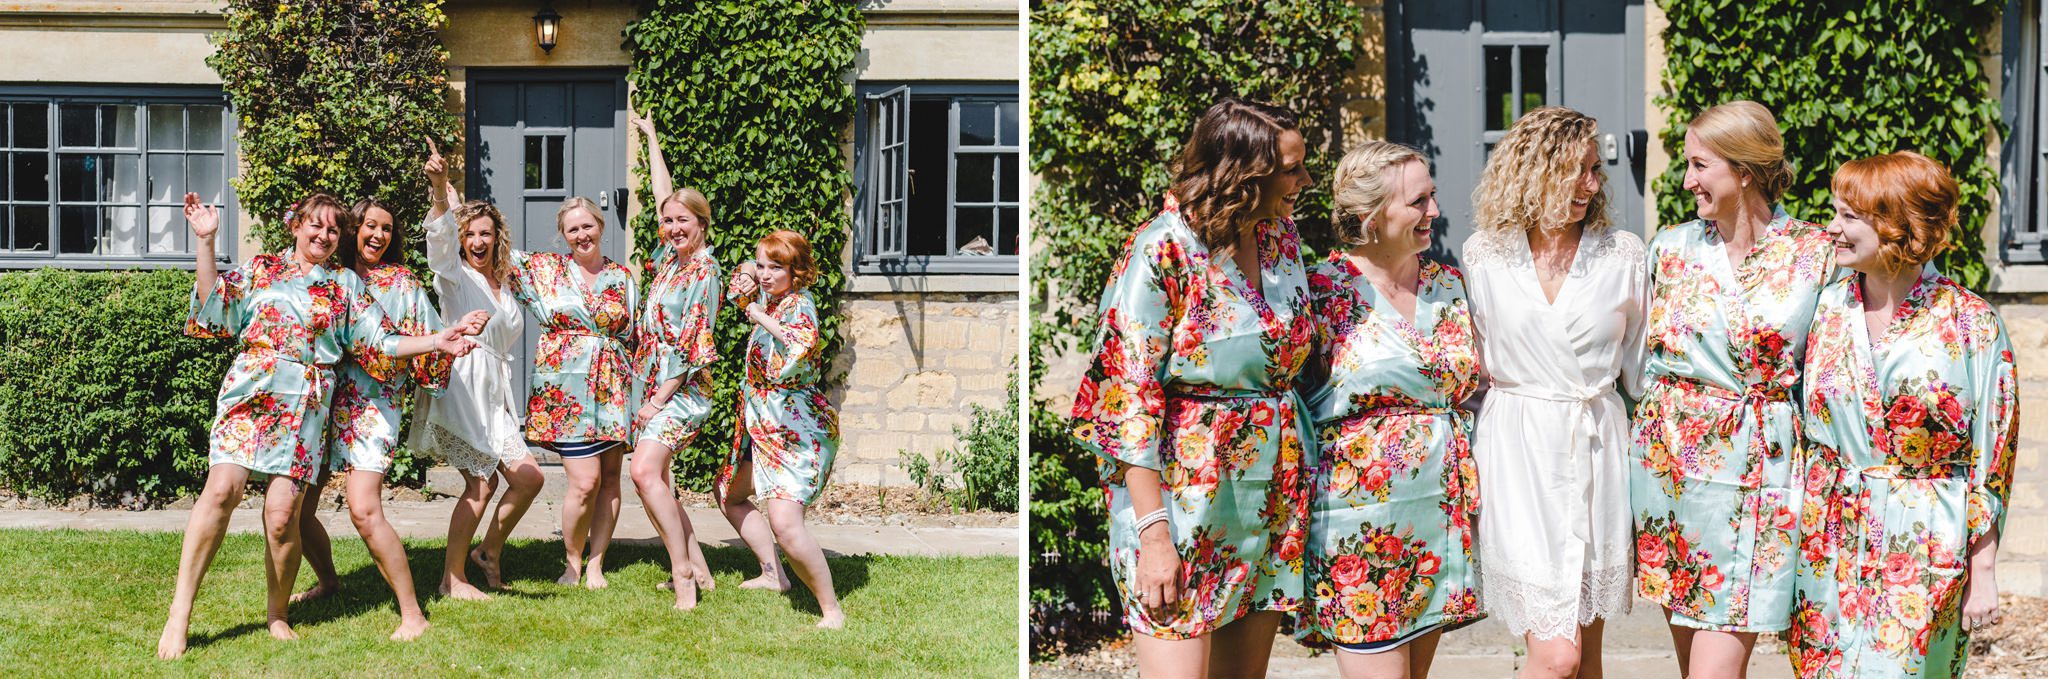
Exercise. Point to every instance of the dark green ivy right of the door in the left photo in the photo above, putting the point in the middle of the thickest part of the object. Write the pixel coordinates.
(751, 101)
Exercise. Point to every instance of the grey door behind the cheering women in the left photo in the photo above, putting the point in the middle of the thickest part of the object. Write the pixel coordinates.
(540, 138)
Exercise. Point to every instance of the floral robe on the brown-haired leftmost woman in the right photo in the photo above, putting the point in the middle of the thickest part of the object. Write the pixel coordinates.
(1193, 379)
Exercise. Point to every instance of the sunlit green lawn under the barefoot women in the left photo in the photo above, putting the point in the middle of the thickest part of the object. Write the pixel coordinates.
(93, 604)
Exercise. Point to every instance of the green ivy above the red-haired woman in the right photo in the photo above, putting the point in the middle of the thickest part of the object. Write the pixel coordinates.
(1846, 81)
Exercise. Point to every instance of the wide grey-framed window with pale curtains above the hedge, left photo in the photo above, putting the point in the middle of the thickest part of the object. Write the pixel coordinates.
(103, 179)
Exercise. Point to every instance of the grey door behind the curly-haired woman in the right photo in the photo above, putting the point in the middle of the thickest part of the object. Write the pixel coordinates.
(1461, 73)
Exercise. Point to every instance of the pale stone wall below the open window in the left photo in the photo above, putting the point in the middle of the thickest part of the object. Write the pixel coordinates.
(910, 369)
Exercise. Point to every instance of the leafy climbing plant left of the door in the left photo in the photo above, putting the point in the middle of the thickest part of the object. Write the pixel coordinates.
(335, 97)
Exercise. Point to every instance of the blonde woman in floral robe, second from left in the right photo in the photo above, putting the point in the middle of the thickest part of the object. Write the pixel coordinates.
(1394, 494)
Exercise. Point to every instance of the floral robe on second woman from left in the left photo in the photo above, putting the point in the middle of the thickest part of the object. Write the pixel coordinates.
(366, 410)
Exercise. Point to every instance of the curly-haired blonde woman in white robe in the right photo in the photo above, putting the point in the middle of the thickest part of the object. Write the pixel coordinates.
(1560, 300)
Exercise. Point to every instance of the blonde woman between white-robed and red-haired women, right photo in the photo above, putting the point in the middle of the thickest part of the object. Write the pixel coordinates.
(1711, 455)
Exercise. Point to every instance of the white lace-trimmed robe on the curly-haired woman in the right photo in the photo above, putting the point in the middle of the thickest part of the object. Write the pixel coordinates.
(1553, 433)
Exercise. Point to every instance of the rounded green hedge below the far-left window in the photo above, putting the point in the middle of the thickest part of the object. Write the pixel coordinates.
(101, 392)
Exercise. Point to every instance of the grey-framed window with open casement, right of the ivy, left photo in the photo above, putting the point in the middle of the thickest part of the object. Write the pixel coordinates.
(941, 185)
